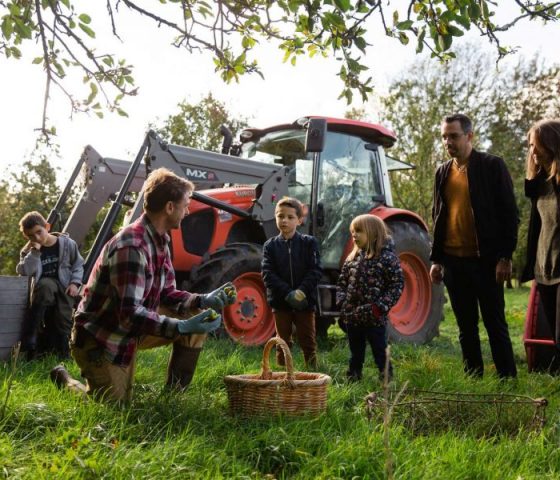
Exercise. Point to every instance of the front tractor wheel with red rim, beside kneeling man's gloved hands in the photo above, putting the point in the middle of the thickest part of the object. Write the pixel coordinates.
(249, 320)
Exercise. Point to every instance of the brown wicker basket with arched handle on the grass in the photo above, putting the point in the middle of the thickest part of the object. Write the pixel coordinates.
(272, 393)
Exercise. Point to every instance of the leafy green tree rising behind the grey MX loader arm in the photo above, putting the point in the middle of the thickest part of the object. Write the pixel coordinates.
(198, 125)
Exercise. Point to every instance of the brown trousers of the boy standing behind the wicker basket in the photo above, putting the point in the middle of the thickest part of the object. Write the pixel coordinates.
(305, 334)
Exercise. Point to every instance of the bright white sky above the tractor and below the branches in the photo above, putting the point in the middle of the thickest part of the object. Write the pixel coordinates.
(166, 76)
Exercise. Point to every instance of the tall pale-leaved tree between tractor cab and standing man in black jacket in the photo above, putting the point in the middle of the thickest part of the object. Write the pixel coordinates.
(414, 108)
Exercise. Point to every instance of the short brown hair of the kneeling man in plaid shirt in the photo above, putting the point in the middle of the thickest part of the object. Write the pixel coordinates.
(163, 186)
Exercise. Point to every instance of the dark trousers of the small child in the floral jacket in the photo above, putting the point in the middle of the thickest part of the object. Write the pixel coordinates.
(358, 338)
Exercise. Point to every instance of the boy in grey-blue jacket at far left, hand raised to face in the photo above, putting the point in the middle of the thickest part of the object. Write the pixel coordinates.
(54, 262)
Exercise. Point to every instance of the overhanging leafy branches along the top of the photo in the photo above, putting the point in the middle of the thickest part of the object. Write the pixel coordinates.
(60, 36)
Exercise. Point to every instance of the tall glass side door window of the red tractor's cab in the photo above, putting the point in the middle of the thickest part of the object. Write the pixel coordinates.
(350, 184)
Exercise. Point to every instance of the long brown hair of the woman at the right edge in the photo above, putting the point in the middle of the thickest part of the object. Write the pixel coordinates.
(547, 138)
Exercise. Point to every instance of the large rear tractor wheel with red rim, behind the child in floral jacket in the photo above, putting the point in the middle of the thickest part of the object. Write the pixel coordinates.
(416, 316)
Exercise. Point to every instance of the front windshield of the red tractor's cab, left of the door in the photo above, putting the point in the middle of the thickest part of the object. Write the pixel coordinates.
(285, 147)
